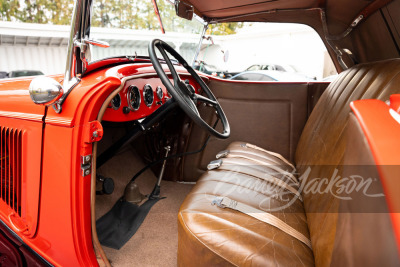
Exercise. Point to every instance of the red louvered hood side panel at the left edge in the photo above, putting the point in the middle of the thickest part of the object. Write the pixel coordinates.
(20, 174)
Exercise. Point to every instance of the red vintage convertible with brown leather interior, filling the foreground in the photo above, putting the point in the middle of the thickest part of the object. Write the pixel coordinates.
(112, 162)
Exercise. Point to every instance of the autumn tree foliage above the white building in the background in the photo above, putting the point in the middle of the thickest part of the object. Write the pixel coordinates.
(125, 14)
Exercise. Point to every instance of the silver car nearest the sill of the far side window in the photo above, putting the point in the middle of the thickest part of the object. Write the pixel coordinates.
(270, 76)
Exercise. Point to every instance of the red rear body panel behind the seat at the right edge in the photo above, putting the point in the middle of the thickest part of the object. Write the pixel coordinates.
(381, 127)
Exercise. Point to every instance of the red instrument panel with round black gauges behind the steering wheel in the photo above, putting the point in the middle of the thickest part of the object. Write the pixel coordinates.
(139, 98)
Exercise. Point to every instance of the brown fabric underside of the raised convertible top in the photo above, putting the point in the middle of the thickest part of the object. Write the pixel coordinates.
(333, 20)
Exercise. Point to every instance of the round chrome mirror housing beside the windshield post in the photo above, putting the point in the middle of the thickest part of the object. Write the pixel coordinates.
(45, 91)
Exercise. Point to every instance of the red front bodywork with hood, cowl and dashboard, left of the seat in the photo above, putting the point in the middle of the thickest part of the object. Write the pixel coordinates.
(51, 169)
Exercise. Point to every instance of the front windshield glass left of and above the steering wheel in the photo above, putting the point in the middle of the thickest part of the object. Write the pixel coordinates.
(129, 25)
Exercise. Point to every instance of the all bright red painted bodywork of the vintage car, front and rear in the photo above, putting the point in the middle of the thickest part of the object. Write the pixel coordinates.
(45, 197)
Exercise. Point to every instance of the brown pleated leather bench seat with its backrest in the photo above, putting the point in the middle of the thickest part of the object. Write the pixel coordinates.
(211, 236)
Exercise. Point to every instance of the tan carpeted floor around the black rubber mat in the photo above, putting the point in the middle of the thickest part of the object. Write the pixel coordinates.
(156, 241)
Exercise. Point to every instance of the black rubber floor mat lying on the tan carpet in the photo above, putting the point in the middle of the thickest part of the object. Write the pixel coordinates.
(118, 225)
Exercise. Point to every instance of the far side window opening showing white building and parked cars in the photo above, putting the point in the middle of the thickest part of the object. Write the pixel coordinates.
(283, 51)
